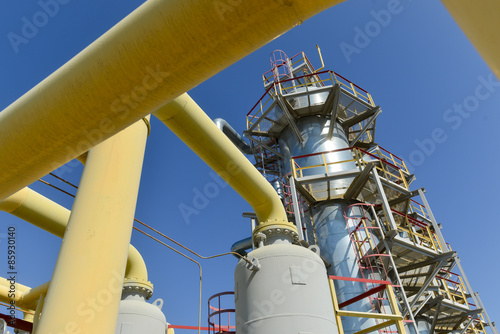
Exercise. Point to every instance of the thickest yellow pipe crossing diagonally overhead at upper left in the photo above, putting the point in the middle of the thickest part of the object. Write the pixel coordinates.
(159, 51)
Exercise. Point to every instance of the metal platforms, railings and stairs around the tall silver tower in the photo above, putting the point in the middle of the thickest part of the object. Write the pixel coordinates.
(396, 236)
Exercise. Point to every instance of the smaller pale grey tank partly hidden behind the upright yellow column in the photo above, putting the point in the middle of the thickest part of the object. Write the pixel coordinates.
(136, 316)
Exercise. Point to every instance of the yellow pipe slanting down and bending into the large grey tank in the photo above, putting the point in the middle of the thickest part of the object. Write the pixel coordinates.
(188, 121)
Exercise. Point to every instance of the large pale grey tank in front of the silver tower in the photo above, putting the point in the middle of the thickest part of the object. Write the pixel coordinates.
(288, 294)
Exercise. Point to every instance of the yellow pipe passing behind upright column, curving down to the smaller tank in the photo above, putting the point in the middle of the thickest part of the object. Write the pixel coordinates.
(44, 213)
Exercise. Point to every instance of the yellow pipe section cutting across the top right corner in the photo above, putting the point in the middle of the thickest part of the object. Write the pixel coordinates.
(479, 21)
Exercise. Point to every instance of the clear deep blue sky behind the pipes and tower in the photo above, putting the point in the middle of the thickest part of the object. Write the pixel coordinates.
(440, 111)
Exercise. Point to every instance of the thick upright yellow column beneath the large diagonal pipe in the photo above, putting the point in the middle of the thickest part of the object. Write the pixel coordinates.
(86, 286)
